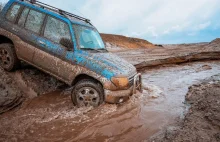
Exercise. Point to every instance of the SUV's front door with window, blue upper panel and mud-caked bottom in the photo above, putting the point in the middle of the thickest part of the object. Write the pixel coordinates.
(52, 55)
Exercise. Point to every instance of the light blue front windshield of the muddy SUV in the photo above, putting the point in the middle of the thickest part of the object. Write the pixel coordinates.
(88, 38)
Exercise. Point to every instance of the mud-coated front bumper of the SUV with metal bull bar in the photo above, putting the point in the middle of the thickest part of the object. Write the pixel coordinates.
(121, 96)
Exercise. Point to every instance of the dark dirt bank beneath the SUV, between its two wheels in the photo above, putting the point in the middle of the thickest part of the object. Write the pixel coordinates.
(24, 84)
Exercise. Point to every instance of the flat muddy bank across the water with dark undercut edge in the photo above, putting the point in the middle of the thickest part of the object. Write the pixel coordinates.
(172, 54)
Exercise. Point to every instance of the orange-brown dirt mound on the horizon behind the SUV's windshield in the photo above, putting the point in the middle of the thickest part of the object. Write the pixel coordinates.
(114, 41)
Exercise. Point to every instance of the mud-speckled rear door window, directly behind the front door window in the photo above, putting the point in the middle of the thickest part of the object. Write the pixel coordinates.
(34, 21)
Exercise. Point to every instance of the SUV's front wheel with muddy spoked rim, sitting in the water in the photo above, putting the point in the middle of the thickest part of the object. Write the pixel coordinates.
(87, 93)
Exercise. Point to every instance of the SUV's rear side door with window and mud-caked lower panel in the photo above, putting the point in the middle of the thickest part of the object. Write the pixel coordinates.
(28, 27)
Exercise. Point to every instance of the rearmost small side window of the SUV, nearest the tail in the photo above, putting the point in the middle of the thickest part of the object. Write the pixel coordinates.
(13, 12)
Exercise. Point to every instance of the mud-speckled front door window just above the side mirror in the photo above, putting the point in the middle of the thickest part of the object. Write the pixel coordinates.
(55, 30)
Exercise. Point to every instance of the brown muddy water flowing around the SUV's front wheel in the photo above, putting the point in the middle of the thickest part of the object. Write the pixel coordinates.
(52, 117)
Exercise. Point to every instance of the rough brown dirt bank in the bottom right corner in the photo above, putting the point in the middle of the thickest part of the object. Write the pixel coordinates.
(202, 122)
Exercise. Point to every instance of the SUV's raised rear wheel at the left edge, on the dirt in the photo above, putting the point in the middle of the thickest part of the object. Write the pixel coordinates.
(8, 58)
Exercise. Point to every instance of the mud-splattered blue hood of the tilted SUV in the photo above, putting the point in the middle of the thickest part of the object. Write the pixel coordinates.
(106, 64)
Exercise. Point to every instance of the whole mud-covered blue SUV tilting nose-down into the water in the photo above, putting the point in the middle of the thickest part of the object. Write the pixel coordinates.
(67, 47)
